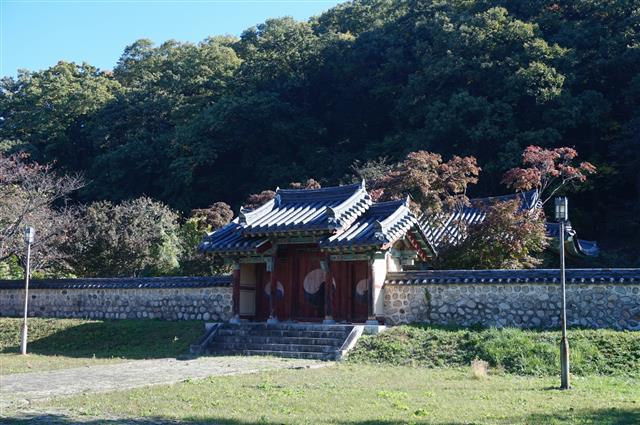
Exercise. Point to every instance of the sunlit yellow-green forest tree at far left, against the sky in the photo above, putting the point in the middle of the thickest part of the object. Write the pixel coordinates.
(47, 112)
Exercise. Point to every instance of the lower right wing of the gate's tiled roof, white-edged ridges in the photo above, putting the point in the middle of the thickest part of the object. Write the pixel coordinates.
(382, 224)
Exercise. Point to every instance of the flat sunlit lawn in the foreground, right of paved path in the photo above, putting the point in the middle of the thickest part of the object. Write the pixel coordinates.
(362, 394)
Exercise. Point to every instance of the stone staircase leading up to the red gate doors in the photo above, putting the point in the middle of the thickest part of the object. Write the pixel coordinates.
(294, 340)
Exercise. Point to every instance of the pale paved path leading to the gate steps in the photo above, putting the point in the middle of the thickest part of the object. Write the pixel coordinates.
(20, 389)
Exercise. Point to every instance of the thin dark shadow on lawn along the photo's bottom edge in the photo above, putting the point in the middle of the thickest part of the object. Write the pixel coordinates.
(599, 417)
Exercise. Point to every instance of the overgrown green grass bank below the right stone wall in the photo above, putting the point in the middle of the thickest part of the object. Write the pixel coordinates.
(522, 352)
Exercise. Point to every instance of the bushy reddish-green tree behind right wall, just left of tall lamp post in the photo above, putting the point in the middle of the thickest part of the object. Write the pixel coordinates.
(508, 238)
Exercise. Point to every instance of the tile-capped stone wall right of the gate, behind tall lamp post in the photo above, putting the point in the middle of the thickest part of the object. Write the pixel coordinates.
(525, 298)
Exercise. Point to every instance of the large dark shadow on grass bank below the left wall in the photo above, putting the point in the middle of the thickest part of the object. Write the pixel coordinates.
(130, 339)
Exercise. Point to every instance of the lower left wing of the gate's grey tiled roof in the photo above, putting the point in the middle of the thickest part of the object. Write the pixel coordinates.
(229, 239)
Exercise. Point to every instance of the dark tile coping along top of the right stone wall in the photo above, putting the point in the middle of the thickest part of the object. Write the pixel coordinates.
(595, 276)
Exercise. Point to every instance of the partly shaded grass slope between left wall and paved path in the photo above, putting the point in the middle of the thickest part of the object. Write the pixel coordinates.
(63, 343)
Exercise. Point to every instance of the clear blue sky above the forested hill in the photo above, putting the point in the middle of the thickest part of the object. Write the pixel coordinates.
(35, 34)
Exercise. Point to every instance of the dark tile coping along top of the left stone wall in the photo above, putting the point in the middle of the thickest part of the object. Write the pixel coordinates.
(121, 283)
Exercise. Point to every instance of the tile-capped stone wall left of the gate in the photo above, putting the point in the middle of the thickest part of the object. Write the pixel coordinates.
(171, 298)
